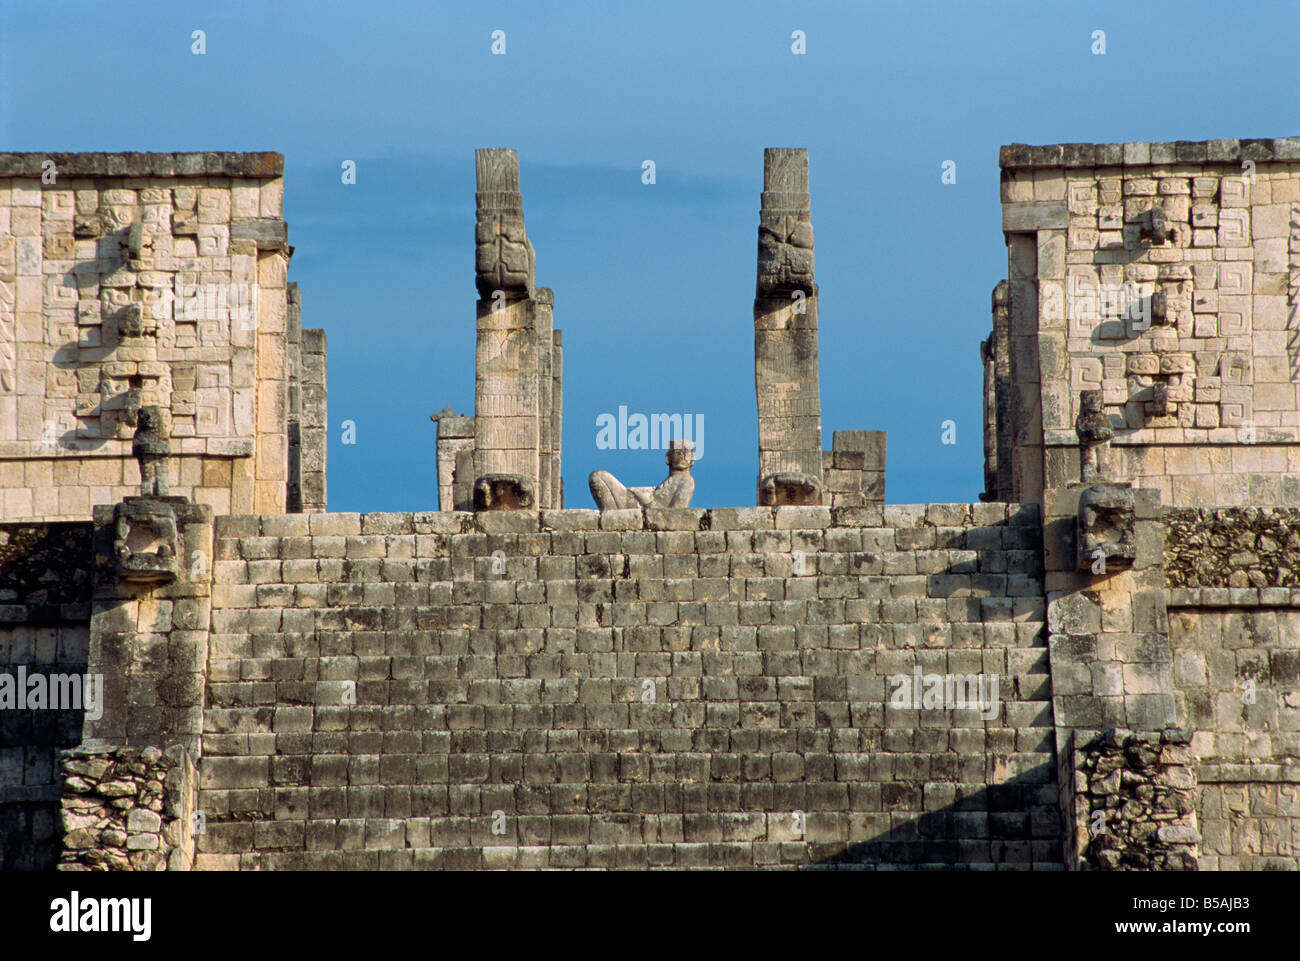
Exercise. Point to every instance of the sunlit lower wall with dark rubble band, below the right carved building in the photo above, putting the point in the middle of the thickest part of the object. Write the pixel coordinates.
(1236, 635)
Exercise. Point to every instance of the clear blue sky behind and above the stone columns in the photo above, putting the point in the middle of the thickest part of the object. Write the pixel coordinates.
(653, 284)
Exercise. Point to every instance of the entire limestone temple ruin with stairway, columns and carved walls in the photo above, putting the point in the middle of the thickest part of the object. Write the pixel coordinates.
(1094, 668)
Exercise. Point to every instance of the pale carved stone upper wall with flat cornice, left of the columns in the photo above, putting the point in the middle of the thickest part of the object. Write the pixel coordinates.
(131, 280)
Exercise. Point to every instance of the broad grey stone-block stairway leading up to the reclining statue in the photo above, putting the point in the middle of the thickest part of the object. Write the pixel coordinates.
(679, 689)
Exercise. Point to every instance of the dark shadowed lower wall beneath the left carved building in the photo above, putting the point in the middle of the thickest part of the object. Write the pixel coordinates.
(45, 629)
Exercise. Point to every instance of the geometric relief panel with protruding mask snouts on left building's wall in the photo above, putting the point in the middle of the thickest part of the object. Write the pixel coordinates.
(110, 282)
